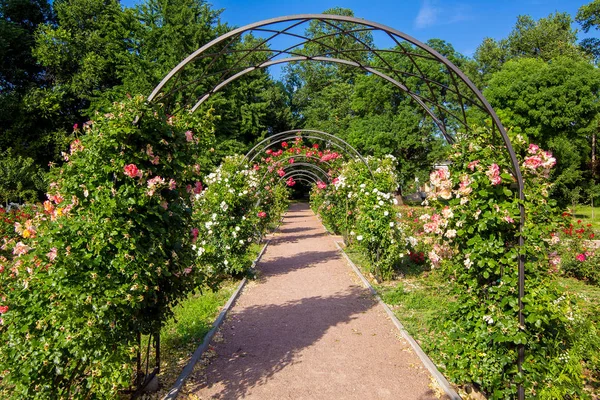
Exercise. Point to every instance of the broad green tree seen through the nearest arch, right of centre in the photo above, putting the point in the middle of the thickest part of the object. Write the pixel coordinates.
(370, 113)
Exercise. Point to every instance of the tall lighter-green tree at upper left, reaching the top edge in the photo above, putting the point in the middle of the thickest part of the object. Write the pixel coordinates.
(85, 50)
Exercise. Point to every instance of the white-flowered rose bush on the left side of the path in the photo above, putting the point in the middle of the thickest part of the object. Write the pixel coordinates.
(228, 217)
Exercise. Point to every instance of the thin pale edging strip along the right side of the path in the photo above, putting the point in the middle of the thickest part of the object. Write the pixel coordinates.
(441, 379)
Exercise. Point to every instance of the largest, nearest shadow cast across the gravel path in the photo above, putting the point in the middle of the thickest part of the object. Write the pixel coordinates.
(273, 336)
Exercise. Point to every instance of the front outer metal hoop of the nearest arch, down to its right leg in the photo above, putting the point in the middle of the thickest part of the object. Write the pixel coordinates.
(451, 68)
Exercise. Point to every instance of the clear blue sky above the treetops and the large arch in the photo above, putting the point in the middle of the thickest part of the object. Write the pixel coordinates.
(463, 23)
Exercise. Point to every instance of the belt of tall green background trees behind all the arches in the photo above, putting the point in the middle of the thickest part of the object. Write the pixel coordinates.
(66, 60)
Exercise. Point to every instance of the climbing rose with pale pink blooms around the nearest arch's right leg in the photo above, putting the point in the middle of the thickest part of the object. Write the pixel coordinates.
(480, 341)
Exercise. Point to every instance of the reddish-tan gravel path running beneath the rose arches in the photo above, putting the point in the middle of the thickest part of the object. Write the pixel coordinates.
(307, 329)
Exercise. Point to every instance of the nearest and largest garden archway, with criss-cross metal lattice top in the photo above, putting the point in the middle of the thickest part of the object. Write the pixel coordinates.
(447, 96)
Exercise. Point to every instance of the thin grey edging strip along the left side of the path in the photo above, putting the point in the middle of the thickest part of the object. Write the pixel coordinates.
(187, 370)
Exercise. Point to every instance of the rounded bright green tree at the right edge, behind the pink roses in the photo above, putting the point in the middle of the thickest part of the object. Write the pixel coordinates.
(553, 103)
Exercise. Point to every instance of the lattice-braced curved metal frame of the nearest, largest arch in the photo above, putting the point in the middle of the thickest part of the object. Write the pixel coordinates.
(434, 105)
